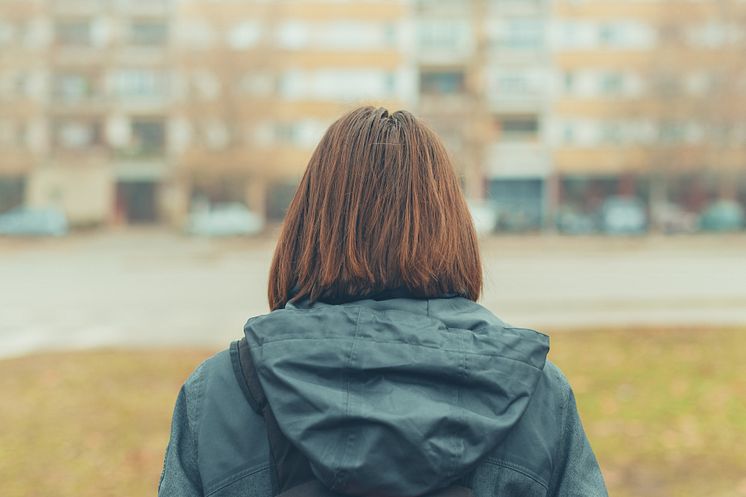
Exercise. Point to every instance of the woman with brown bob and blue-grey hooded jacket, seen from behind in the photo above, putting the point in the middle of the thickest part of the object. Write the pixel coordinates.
(376, 368)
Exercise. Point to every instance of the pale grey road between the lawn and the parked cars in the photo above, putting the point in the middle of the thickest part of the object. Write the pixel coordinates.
(151, 287)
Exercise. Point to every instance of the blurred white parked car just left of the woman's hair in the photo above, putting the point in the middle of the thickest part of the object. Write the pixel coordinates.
(230, 219)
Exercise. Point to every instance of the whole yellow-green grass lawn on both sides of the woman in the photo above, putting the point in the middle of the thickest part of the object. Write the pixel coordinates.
(665, 410)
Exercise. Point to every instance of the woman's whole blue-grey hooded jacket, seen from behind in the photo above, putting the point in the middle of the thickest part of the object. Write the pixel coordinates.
(395, 397)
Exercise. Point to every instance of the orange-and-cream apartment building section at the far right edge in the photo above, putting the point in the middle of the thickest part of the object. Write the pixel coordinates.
(649, 103)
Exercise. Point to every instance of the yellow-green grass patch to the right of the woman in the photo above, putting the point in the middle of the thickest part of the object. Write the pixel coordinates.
(665, 409)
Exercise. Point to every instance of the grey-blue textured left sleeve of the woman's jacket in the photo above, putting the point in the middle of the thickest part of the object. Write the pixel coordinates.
(180, 476)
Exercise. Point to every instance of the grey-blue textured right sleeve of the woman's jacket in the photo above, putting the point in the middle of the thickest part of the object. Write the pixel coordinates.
(577, 473)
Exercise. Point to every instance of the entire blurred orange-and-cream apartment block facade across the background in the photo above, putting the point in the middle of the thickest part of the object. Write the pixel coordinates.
(127, 111)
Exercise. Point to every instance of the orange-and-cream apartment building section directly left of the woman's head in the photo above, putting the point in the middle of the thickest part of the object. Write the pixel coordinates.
(259, 82)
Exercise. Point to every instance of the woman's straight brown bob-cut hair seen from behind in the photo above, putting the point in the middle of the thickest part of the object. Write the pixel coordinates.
(379, 209)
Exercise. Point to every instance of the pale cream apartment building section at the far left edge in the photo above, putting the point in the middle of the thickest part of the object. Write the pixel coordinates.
(87, 84)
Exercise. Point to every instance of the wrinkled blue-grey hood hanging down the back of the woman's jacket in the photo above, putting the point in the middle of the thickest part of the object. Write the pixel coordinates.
(394, 397)
